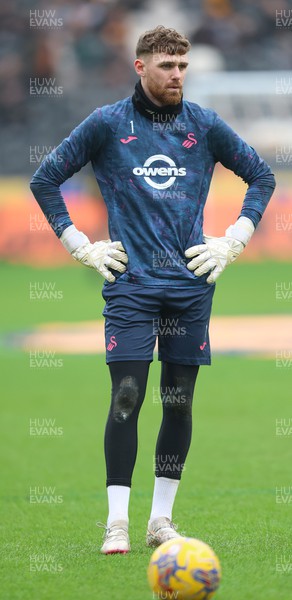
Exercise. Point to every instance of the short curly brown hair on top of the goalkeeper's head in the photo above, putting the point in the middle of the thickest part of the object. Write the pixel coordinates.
(162, 39)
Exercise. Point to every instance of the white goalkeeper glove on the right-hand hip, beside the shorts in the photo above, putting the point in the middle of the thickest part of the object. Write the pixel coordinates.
(217, 253)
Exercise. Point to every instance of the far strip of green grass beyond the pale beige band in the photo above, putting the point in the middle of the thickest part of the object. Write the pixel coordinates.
(243, 289)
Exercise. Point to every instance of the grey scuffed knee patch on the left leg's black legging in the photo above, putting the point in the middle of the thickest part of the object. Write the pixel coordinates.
(124, 398)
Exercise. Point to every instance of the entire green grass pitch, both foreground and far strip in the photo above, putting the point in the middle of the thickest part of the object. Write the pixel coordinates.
(228, 492)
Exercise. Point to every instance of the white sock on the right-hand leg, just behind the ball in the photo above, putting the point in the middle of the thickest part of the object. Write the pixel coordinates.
(163, 497)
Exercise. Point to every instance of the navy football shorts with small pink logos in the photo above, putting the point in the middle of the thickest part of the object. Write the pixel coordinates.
(137, 315)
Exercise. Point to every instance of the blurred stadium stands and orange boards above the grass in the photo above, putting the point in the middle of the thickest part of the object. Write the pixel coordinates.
(59, 60)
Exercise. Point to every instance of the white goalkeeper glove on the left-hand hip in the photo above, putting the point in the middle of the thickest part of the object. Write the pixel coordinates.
(101, 256)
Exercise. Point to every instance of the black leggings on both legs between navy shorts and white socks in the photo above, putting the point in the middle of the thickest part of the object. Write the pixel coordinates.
(129, 379)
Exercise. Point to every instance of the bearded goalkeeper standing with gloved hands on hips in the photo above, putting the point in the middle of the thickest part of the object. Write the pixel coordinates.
(153, 155)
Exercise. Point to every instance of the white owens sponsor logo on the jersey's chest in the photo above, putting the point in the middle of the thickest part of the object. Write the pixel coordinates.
(171, 171)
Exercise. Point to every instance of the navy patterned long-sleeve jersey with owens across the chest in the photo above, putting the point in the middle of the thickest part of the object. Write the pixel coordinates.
(154, 178)
